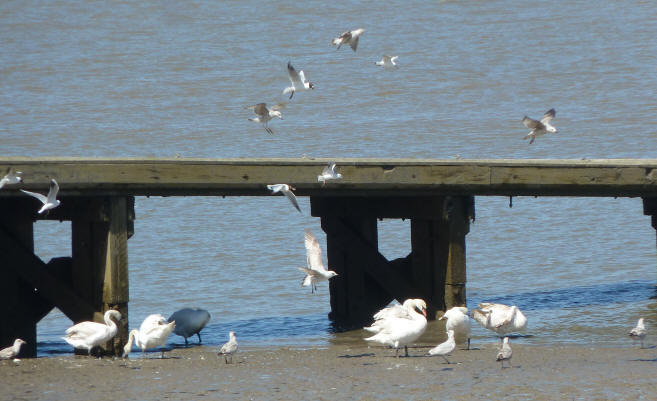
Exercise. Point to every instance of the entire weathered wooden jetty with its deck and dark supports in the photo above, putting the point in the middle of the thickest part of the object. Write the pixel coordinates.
(98, 197)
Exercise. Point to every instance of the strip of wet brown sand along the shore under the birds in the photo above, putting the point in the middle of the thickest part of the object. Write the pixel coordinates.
(353, 371)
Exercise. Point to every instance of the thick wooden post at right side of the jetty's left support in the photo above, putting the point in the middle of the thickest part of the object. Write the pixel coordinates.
(100, 261)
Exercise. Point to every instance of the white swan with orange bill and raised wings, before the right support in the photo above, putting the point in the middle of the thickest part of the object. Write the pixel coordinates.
(400, 327)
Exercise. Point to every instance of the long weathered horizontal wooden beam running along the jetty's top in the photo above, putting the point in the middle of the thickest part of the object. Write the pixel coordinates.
(371, 177)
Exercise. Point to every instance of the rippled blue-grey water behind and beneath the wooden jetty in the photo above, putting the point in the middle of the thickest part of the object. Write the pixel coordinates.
(132, 79)
